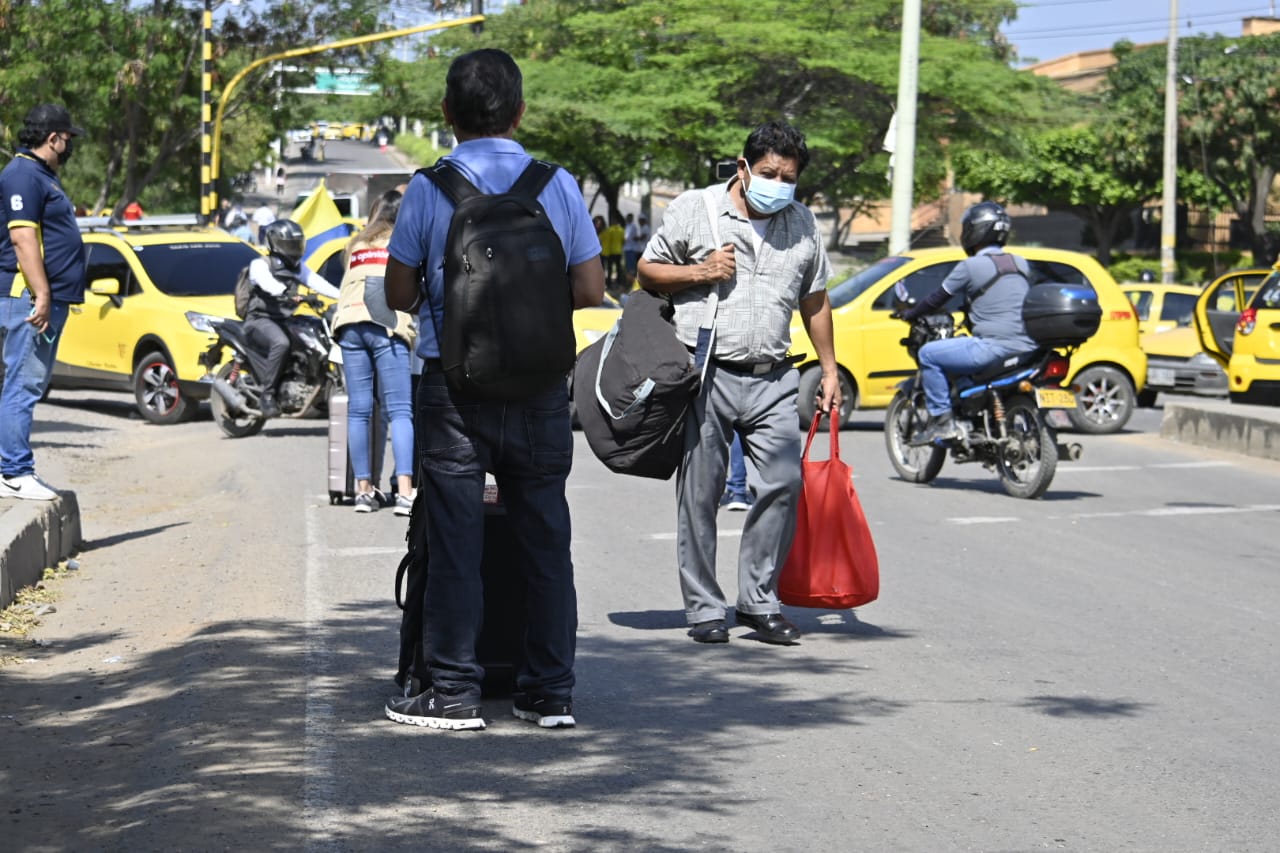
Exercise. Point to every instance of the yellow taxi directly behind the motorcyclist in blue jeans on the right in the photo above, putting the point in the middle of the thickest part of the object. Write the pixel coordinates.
(1108, 371)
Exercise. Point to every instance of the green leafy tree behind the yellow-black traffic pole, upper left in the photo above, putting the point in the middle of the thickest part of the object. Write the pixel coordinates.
(131, 74)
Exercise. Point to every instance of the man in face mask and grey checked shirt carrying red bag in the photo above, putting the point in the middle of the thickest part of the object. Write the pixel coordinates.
(761, 261)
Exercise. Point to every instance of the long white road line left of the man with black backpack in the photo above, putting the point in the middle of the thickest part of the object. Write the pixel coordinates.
(321, 796)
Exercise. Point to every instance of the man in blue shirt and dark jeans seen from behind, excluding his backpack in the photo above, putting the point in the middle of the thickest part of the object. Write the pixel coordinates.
(527, 445)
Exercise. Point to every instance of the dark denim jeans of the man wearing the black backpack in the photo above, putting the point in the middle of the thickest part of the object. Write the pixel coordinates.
(529, 449)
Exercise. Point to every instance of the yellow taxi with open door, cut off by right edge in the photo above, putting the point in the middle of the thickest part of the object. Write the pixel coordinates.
(1238, 322)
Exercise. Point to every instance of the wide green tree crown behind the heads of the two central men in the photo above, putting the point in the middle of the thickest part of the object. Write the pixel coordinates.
(676, 85)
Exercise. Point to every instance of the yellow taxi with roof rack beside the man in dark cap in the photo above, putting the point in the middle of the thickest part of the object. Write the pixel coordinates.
(153, 288)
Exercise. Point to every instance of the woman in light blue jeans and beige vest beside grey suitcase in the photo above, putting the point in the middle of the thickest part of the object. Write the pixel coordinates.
(377, 345)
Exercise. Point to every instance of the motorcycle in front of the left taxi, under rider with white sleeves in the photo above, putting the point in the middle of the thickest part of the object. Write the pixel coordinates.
(308, 380)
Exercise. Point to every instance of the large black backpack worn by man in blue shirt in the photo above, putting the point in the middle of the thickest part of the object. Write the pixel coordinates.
(509, 305)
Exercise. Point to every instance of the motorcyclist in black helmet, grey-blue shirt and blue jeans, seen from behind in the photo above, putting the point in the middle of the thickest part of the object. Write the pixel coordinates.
(994, 285)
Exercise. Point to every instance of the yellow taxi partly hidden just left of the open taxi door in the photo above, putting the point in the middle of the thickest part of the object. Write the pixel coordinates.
(1176, 361)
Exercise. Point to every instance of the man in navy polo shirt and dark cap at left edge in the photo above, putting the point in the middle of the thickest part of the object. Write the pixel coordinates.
(42, 277)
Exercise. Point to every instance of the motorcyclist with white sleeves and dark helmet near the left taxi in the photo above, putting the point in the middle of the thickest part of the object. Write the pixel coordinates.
(276, 295)
